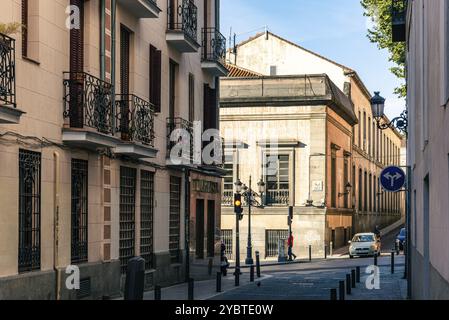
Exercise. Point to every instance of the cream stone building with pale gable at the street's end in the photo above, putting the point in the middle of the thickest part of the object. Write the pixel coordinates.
(346, 186)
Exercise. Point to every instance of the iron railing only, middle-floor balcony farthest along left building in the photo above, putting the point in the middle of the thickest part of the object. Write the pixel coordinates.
(180, 133)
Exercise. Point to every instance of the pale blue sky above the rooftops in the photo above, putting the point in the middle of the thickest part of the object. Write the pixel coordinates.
(335, 29)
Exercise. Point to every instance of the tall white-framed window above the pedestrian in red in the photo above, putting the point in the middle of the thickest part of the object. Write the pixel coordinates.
(278, 180)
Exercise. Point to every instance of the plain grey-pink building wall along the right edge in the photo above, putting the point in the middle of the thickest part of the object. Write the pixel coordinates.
(424, 27)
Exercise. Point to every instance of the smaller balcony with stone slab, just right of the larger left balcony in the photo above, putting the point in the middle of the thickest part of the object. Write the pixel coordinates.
(135, 121)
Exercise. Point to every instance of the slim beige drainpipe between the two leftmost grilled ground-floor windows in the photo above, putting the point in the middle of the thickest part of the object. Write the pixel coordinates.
(56, 226)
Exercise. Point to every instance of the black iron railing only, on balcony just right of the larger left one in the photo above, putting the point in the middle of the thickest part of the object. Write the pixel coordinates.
(135, 119)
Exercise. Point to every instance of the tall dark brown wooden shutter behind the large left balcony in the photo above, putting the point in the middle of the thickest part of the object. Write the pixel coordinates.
(76, 67)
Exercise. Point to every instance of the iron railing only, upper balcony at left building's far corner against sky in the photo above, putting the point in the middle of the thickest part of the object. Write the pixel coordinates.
(213, 45)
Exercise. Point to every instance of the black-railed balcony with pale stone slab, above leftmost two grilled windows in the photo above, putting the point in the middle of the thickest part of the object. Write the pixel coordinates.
(88, 111)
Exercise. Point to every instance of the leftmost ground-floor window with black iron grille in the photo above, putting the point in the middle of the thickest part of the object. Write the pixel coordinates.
(29, 211)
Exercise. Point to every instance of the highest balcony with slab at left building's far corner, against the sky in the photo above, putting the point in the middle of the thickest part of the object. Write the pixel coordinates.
(213, 52)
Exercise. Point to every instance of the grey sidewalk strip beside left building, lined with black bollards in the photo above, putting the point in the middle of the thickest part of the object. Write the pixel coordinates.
(204, 290)
